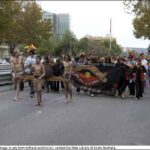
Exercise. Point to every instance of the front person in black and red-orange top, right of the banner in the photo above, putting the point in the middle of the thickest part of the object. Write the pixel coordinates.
(139, 77)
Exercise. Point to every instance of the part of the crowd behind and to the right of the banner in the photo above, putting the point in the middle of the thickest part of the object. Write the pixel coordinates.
(135, 72)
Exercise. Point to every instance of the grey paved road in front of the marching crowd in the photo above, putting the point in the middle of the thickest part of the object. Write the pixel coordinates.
(87, 120)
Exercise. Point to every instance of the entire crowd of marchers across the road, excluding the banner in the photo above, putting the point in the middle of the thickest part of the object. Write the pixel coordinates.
(135, 73)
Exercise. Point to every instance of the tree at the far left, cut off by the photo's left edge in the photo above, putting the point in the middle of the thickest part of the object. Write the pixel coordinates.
(9, 16)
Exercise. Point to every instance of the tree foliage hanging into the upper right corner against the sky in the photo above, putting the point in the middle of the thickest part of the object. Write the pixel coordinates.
(141, 22)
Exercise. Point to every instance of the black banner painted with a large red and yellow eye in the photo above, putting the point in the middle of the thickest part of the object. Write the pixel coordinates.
(100, 79)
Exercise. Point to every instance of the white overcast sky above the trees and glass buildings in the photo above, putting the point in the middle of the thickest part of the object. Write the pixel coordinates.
(93, 18)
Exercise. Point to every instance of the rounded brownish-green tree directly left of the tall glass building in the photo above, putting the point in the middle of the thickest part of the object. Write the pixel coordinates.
(34, 29)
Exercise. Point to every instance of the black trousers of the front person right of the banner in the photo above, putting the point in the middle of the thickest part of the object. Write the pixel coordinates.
(139, 88)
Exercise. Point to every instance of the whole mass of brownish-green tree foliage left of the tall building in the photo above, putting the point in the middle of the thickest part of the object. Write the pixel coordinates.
(22, 23)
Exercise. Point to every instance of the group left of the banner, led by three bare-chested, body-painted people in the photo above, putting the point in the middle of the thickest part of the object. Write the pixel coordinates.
(41, 70)
